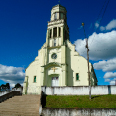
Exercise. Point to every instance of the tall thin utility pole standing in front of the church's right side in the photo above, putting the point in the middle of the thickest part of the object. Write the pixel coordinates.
(88, 63)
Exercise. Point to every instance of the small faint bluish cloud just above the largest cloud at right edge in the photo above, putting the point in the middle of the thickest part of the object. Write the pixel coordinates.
(109, 26)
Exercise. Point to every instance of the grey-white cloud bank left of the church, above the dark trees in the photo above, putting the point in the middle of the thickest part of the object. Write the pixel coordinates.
(12, 75)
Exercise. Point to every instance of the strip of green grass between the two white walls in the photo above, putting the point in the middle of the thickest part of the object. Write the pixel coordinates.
(74, 101)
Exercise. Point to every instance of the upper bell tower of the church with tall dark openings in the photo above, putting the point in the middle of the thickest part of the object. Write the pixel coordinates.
(57, 31)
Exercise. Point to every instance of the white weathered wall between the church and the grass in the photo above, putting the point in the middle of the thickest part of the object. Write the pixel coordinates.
(80, 90)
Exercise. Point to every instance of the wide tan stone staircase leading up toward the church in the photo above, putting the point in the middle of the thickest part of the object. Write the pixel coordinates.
(25, 105)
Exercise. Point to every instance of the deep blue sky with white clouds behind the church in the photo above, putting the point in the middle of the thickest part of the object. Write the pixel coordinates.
(23, 27)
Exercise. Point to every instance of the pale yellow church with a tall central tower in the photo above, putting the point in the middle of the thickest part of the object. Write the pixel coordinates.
(58, 63)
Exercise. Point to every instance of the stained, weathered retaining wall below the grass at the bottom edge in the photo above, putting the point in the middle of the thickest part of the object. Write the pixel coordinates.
(78, 112)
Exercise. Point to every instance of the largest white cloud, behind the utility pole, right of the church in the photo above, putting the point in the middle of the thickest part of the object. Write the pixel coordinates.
(102, 46)
